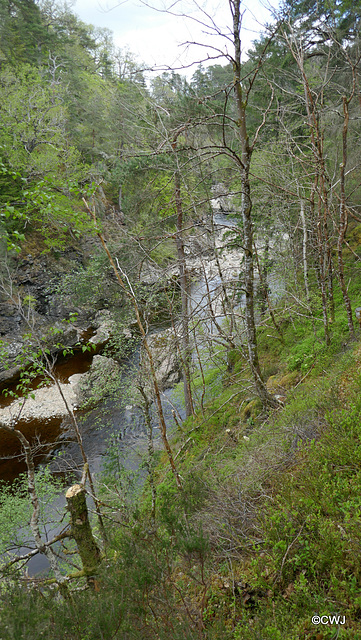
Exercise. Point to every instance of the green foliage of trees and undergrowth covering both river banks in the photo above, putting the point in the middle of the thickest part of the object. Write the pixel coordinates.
(268, 517)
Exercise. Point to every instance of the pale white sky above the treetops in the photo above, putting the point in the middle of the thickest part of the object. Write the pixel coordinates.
(155, 37)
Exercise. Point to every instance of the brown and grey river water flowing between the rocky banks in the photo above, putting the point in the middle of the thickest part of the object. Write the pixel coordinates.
(116, 420)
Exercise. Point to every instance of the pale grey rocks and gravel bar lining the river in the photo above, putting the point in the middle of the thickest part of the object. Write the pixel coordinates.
(89, 388)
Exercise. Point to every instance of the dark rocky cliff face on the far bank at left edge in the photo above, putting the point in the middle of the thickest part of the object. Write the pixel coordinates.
(31, 302)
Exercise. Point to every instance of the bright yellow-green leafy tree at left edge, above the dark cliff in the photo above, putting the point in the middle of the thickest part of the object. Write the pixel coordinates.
(40, 171)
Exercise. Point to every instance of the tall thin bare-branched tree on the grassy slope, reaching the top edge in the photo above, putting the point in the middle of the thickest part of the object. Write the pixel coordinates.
(231, 140)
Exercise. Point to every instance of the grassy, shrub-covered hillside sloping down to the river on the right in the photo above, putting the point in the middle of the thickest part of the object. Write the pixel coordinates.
(267, 530)
